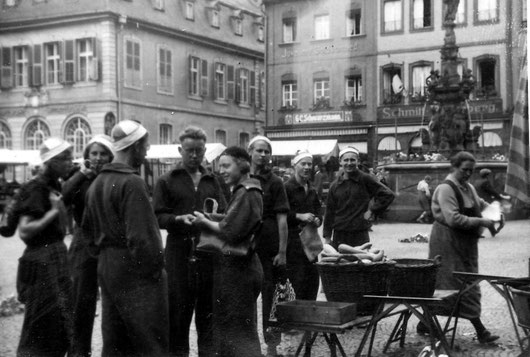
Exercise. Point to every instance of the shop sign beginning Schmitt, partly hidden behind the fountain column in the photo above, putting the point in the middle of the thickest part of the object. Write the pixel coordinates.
(413, 111)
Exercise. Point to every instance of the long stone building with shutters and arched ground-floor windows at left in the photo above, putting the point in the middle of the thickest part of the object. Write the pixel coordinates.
(72, 69)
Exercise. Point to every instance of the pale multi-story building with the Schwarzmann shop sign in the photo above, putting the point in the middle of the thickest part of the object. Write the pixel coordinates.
(321, 64)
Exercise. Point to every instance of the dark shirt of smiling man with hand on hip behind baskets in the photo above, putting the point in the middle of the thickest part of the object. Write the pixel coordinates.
(348, 200)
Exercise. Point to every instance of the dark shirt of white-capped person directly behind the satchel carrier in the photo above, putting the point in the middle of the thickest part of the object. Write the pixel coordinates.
(274, 202)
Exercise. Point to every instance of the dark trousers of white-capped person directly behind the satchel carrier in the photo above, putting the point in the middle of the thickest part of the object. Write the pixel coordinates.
(271, 276)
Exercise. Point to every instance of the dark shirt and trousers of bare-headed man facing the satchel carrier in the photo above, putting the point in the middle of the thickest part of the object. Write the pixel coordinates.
(189, 280)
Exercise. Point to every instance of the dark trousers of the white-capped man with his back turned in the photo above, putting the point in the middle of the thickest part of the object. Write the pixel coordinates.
(134, 319)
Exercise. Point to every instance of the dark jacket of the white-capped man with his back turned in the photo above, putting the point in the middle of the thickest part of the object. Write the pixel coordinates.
(119, 214)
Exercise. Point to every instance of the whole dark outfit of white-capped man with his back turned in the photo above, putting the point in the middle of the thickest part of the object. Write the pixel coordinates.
(133, 281)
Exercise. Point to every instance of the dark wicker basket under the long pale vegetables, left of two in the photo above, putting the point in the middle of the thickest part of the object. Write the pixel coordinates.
(349, 282)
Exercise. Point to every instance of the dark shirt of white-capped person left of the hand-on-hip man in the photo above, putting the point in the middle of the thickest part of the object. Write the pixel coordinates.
(300, 202)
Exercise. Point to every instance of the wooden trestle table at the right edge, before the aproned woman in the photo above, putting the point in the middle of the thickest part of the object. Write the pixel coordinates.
(501, 284)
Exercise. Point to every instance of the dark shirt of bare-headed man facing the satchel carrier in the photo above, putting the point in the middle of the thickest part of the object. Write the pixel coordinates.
(175, 195)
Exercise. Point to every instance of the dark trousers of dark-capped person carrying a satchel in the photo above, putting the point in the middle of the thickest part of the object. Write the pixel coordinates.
(237, 286)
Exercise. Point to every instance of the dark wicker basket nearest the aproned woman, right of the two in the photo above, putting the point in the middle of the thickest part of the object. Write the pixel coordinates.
(413, 277)
